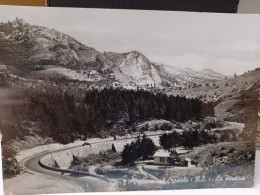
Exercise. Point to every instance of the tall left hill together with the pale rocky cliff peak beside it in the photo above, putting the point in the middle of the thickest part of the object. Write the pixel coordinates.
(23, 45)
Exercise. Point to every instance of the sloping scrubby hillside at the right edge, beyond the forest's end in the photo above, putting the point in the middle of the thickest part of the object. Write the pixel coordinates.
(239, 97)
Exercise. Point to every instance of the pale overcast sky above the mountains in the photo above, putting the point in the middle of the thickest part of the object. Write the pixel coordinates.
(226, 43)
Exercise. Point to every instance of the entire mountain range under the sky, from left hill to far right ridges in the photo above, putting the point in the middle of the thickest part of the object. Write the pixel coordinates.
(23, 46)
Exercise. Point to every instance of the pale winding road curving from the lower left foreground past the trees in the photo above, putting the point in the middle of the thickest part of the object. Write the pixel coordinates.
(39, 175)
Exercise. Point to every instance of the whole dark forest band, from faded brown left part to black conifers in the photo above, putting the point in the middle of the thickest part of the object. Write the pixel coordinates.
(66, 115)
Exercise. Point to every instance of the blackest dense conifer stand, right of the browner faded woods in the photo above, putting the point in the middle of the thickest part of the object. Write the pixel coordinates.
(128, 106)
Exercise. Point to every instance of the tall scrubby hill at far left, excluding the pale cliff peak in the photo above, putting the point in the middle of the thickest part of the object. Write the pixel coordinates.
(22, 44)
